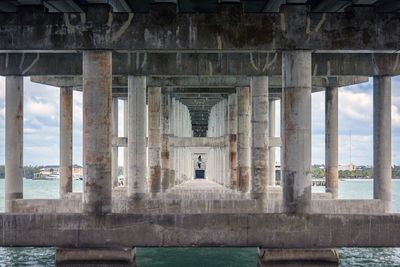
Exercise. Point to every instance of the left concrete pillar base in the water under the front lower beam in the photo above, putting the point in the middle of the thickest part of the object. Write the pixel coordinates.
(87, 257)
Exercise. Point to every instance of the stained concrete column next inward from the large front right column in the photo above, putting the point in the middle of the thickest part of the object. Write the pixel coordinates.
(260, 134)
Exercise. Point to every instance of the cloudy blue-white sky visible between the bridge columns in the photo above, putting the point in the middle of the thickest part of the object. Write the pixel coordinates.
(41, 124)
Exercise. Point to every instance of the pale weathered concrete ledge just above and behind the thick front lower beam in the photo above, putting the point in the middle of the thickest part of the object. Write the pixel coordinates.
(195, 201)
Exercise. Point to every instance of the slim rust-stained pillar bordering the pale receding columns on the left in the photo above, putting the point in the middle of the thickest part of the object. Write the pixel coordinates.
(165, 122)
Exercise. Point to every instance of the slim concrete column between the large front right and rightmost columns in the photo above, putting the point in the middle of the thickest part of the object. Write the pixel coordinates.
(331, 141)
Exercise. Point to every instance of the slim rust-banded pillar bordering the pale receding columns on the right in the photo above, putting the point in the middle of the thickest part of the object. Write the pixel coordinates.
(232, 106)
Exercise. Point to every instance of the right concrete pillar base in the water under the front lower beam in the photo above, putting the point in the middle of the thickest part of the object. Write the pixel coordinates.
(298, 257)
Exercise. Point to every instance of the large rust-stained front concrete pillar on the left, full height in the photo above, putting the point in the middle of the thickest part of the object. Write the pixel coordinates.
(97, 89)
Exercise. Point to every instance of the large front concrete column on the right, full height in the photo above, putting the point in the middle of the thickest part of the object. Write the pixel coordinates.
(296, 80)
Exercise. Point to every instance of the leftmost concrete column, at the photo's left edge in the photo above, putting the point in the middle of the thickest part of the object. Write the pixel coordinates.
(14, 140)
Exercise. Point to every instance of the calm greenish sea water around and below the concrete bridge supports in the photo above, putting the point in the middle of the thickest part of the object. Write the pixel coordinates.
(233, 257)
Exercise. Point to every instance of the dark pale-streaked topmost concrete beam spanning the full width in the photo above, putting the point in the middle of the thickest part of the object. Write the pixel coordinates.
(225, 30)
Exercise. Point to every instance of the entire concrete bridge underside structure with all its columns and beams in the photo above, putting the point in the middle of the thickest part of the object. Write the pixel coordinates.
(198, 79)
